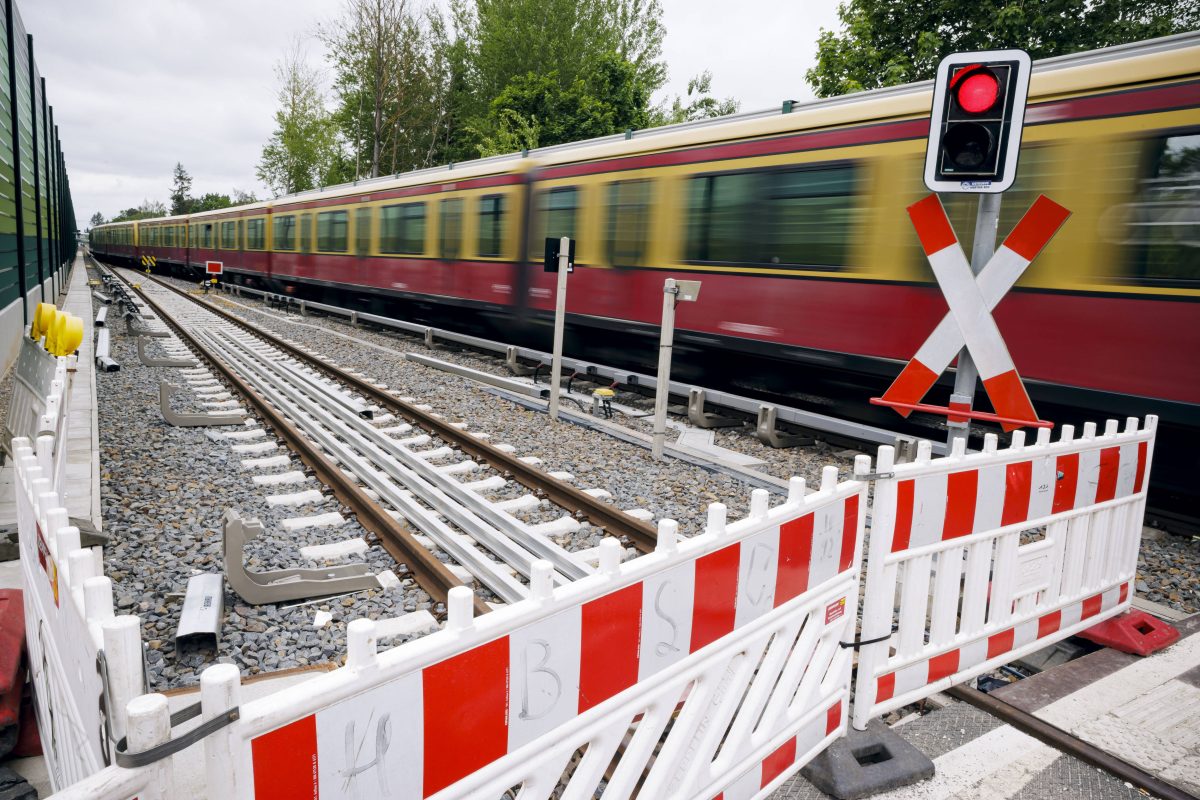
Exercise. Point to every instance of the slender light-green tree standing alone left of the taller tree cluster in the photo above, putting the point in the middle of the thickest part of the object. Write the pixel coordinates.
(304, 152)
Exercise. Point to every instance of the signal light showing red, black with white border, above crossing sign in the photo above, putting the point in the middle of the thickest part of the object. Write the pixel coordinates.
(975, 129)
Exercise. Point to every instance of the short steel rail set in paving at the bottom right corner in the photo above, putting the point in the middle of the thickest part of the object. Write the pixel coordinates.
(1069, 744)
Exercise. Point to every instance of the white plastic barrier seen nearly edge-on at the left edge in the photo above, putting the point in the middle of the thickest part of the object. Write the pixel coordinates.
(69, 621)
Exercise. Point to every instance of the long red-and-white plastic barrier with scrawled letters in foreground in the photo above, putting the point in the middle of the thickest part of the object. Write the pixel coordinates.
(710, 666)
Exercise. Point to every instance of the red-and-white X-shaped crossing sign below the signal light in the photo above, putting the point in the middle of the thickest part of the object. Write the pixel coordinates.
(971, 300)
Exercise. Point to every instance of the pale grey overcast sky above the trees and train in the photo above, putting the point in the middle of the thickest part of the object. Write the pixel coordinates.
(139, 86)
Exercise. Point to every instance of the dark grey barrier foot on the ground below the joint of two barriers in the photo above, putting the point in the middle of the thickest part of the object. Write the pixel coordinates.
(868, 762)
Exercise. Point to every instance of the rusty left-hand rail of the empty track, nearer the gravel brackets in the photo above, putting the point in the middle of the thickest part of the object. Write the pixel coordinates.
(393, 537)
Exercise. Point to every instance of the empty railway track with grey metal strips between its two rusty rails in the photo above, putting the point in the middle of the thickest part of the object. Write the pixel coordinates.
(404, 473)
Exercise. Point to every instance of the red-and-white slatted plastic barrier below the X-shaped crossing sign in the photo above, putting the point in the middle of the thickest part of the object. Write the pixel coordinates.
(988, 557)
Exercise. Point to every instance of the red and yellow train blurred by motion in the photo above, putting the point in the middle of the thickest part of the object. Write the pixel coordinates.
(814, 282)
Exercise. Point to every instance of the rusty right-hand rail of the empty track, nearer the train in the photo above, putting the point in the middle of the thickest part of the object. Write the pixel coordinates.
(611, 519)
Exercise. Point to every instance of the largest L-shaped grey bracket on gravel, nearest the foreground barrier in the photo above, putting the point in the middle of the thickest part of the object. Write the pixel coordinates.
(280, 586)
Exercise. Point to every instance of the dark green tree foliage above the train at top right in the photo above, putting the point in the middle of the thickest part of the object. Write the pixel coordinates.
(890, 43)
